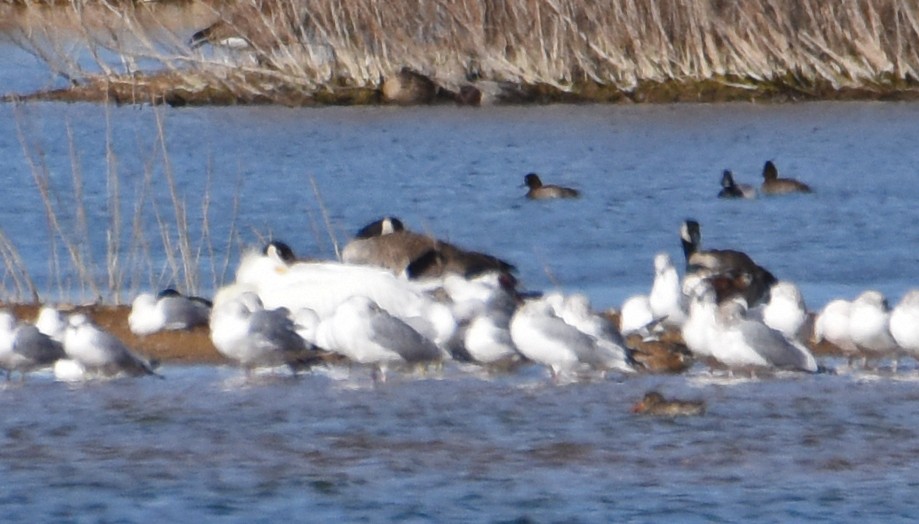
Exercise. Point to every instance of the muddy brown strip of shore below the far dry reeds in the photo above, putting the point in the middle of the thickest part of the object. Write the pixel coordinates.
(409, 88)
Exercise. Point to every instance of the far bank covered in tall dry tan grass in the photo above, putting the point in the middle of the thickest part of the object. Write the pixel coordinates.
(316, 51)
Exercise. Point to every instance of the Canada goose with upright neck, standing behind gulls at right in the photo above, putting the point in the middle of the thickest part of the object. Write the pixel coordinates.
(733, 267)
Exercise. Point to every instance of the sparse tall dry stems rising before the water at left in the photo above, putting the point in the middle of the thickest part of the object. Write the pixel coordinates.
(128, 244)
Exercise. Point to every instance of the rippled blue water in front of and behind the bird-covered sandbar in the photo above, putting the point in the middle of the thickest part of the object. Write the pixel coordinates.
(459, 445)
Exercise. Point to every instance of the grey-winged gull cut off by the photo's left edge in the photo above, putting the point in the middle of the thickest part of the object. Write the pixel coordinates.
(23, 348)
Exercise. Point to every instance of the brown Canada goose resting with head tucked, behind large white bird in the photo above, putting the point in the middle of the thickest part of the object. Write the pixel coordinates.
(386, 243)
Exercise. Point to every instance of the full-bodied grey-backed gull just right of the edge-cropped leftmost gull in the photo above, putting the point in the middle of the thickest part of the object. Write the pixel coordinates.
(99, 352)
